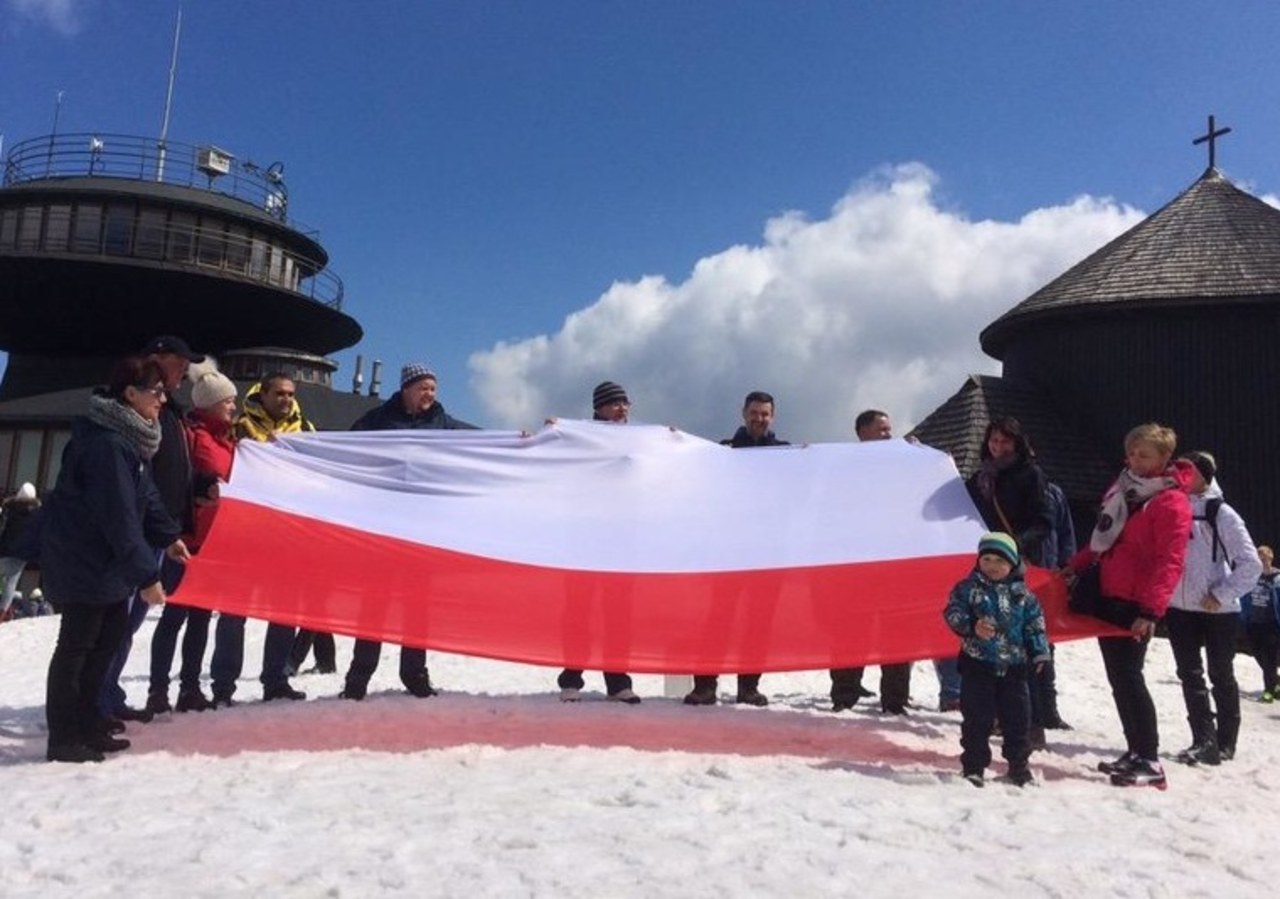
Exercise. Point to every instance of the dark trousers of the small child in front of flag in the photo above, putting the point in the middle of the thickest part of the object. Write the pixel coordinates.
(984, 697)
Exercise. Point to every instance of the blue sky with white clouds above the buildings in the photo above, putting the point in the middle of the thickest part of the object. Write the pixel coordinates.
(826, 200)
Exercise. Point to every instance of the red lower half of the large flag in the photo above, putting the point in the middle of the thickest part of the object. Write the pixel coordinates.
(275, 565)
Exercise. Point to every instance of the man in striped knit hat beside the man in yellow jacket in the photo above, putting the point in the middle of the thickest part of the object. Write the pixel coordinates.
(413, 407)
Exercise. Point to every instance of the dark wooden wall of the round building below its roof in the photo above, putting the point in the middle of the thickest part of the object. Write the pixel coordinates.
(1212, 375)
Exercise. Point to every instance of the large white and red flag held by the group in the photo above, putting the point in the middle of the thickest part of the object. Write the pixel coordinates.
(605, 547)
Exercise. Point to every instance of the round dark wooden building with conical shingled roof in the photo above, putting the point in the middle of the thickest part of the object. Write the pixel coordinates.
(1177, 321)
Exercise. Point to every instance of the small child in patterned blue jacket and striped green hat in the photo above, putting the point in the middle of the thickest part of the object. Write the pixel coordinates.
(1002, 627)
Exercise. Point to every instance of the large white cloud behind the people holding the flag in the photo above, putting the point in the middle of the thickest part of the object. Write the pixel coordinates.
(880, 304)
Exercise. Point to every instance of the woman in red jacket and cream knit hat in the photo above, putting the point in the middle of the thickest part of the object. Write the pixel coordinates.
(212, 445)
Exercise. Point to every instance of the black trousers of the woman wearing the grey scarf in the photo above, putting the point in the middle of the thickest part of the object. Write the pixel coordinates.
(88, 640)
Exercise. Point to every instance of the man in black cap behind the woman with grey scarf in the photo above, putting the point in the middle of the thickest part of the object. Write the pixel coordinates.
(171, 469)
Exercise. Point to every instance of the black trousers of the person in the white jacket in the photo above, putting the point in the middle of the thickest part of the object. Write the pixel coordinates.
(1191, 633)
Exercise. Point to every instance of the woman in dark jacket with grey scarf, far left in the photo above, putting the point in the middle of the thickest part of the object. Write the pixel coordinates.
(103, 526)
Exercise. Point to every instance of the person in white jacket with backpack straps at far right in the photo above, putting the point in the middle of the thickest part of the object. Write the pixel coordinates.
(1205, 613)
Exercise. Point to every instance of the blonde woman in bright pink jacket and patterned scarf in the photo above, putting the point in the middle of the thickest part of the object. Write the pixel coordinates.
(1140, 546)
